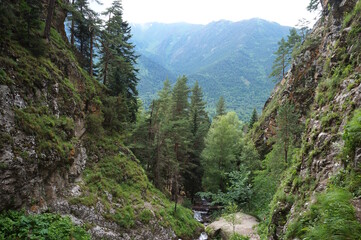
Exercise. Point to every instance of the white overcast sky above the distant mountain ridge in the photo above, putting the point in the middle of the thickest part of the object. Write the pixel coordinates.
(284, 12)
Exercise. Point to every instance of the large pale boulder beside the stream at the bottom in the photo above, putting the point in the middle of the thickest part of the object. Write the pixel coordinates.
(244, 225)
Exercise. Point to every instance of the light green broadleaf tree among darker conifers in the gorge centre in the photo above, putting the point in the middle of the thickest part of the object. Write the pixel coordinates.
(220, 153)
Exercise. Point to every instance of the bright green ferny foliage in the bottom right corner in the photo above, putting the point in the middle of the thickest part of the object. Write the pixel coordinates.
(331, 217)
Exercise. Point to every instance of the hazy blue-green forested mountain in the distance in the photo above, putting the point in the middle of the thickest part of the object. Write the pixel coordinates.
(232, 59)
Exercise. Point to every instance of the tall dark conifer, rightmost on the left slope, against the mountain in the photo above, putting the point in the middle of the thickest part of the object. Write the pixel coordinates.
(118, 58)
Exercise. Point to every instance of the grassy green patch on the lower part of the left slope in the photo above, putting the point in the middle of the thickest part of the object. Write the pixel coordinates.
(120, 175)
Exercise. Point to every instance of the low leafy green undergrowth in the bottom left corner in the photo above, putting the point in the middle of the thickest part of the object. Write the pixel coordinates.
(17, 225)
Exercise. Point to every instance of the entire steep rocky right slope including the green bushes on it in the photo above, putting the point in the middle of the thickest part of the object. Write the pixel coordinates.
(317, 192)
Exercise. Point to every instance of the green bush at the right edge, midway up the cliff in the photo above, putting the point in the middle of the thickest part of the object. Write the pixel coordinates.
(352, 135)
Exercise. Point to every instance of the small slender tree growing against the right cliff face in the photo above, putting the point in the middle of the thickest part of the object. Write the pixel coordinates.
(287, 126)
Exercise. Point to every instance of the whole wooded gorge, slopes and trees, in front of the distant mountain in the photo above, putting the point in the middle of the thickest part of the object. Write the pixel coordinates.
(83, 158)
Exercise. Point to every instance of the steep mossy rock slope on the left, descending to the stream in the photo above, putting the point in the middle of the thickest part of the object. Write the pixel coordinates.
(54, 158)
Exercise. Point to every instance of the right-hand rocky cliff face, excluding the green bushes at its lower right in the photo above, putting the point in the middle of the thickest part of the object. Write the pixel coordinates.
(324, 85)
